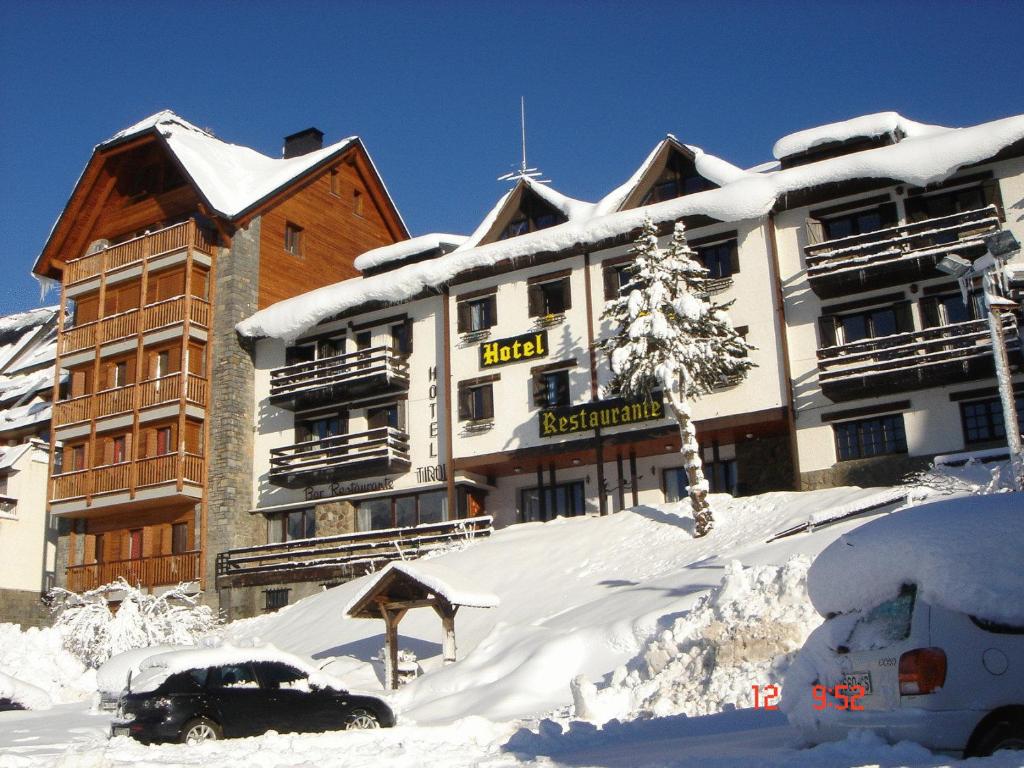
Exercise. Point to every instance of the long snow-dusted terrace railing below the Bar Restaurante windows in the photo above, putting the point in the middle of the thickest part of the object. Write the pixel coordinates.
(344, 554)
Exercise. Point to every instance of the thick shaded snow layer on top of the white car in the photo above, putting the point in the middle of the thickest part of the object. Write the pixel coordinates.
(966, 554)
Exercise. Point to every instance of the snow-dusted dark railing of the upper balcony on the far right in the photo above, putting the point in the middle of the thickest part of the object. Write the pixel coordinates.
(931, 239)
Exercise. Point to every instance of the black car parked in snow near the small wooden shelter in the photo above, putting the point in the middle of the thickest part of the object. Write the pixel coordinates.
(243, 700)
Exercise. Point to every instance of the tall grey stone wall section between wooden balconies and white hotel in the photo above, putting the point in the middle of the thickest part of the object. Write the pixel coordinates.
(231, 417)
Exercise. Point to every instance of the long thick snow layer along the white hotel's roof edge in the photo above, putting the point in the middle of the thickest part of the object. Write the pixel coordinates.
(923, 158)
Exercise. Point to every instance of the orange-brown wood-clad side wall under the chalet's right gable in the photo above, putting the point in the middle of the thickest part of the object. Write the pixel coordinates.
(333, 234)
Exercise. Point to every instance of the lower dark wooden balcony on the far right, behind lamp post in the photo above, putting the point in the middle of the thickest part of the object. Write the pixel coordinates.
(919, 360)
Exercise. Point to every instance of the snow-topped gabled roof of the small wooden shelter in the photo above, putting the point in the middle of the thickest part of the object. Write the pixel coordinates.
(424, 584)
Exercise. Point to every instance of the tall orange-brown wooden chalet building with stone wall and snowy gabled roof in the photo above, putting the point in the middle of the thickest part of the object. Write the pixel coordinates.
(170, 238)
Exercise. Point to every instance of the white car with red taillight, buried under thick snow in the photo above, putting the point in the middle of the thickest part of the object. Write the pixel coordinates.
(924, 638)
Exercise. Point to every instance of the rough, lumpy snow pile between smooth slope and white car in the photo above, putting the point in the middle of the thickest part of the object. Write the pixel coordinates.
(740, 635)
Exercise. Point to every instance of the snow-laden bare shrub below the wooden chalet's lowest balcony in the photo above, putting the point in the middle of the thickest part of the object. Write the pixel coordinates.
(95, 633)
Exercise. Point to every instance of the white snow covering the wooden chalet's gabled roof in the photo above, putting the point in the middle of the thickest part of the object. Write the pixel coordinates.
(233, 179)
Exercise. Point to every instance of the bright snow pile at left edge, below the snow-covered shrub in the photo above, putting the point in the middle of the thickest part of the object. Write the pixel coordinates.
(34, 664)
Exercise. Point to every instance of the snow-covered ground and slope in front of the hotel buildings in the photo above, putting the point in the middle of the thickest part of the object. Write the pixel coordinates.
(629, 617)
